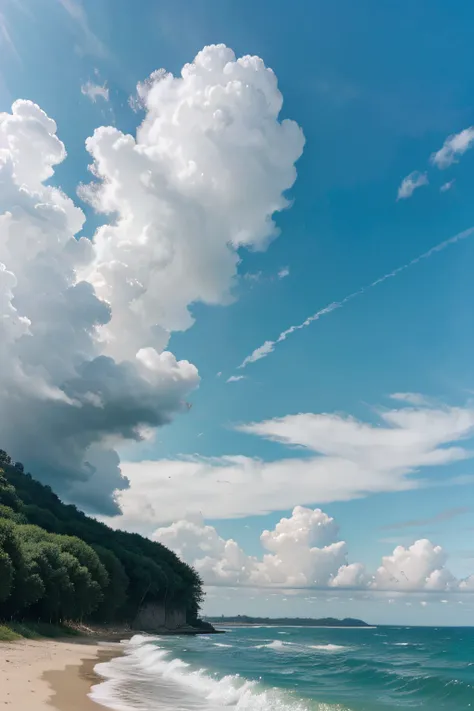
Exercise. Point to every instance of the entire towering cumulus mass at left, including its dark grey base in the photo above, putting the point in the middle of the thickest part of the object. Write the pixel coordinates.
(84, 325)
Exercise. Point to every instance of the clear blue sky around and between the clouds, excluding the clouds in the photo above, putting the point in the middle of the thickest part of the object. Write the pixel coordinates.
(376, 89)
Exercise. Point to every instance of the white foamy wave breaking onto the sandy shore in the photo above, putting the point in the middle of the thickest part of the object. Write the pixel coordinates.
(147, 661)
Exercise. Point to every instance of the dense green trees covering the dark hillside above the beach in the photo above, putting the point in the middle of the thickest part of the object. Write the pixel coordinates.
(58, 564)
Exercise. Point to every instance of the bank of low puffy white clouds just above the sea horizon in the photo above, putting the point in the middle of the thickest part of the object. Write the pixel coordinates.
(304, 551)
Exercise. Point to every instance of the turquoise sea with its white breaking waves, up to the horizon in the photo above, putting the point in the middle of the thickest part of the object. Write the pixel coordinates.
(294, 669)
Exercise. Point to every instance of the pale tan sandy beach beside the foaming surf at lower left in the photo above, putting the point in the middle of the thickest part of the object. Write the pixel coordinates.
(45, 674)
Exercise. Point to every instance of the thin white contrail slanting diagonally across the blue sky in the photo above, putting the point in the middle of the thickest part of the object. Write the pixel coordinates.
(269, 346)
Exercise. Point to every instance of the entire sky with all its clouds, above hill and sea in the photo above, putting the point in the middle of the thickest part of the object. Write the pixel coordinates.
(236, 249)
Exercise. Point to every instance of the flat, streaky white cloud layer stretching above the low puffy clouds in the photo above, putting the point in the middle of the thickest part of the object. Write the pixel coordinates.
(342, 458)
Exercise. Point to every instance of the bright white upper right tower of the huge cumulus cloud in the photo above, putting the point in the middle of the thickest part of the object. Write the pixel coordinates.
(209, 167)
